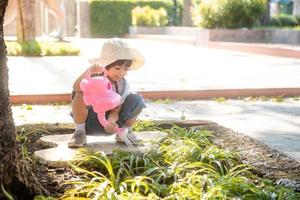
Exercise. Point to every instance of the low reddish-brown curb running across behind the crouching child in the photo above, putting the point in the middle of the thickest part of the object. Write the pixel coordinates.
(153, 95)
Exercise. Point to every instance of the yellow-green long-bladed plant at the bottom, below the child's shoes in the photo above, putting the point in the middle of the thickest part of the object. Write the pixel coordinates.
(108, 184)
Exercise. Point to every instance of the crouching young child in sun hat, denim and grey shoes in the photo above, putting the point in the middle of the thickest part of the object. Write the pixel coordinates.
(117, 58)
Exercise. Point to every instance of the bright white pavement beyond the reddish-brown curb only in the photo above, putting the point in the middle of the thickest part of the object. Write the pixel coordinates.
(169, 66)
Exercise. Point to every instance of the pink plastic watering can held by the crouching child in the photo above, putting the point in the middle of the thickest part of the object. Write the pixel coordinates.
(98, 92)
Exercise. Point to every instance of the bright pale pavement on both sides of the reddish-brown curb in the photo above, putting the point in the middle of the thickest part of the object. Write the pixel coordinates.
(171, 66)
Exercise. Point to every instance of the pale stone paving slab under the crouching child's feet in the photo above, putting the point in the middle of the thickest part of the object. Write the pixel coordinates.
(59, 155)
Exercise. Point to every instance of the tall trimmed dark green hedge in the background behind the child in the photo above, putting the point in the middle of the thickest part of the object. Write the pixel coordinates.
(112, 18)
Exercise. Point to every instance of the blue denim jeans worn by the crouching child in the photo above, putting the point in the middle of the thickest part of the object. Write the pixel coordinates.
(131, 108)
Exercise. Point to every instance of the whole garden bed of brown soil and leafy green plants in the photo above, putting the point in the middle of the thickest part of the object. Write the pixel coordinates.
(196, 161)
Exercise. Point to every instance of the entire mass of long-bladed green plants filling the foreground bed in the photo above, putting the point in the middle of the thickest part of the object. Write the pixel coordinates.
(185, 165)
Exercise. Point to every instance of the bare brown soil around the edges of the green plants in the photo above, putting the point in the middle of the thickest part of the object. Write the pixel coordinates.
(268, 162)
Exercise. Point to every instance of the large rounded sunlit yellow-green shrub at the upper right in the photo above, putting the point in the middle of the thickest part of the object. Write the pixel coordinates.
(228, 13)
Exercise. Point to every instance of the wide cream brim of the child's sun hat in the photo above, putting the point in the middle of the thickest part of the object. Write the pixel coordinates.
(137, 58)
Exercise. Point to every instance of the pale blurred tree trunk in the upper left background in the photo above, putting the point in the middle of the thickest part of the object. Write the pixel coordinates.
(26, 20)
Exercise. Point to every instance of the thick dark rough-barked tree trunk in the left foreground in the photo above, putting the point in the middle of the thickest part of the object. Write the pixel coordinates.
(16, 174)
